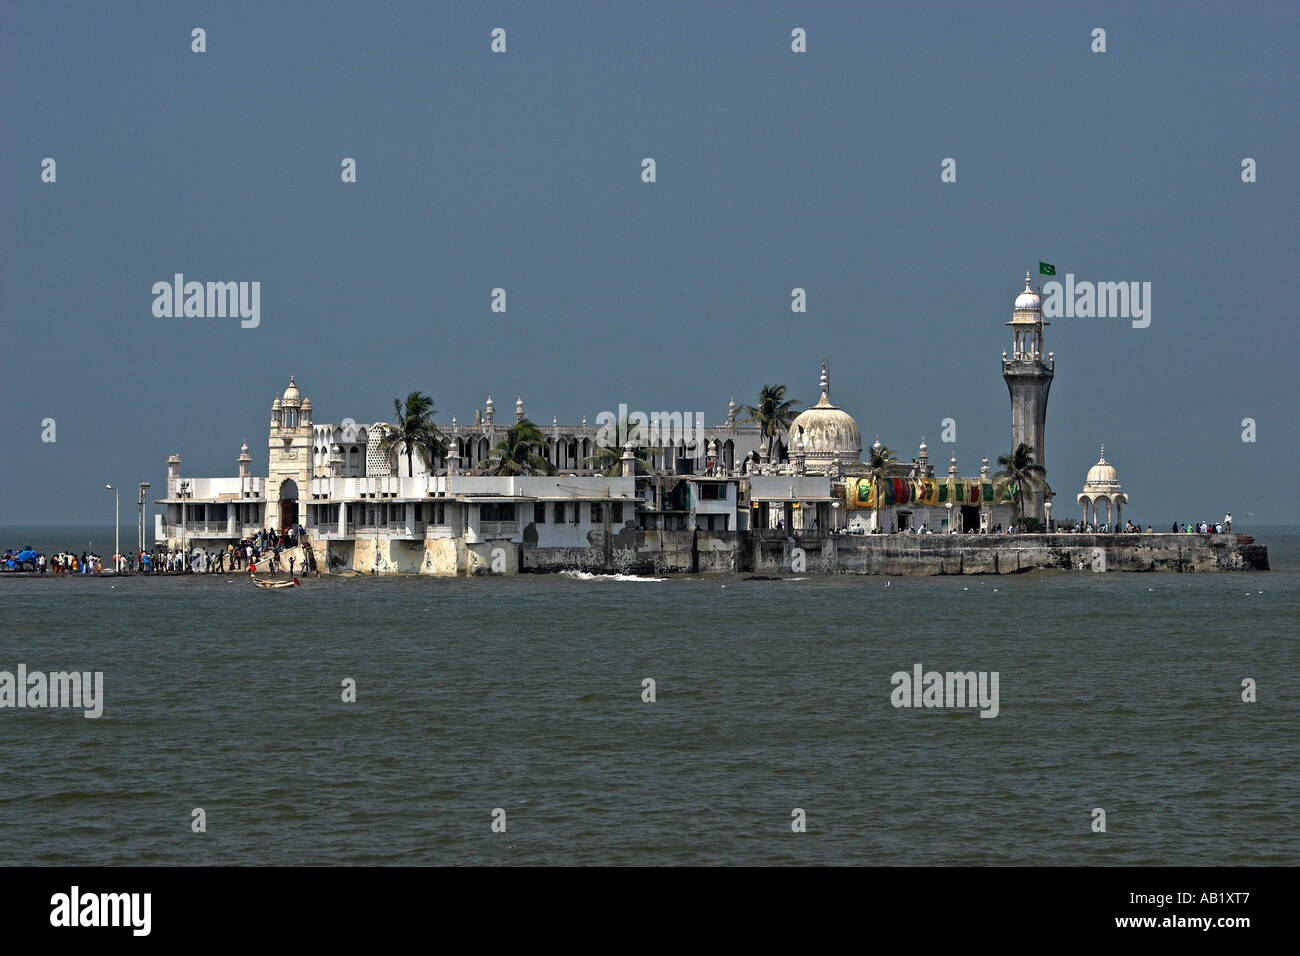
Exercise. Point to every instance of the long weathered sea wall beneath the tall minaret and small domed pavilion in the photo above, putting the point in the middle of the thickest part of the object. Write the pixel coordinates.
(951, 555)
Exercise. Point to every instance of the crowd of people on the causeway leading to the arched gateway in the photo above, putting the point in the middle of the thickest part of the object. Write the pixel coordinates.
(265, 551)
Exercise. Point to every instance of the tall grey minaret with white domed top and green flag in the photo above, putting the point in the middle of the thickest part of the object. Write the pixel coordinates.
(1029, 378)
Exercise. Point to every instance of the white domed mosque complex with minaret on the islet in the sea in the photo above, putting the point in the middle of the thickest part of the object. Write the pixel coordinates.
(713, 494)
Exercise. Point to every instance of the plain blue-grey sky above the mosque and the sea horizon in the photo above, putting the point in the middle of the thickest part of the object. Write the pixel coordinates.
(523, 171)
